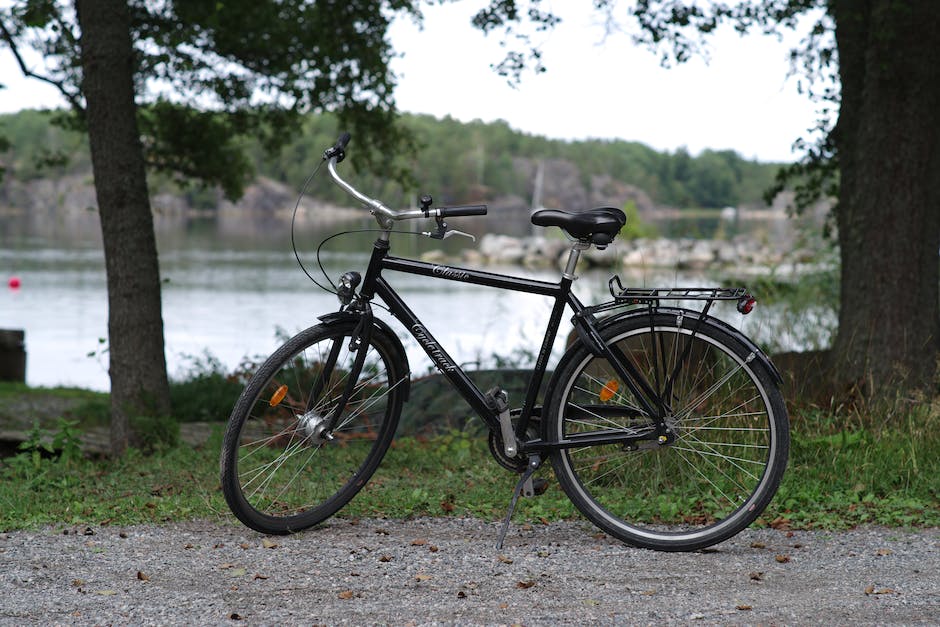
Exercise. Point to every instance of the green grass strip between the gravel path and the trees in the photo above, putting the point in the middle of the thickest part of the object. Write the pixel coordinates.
(844, 471)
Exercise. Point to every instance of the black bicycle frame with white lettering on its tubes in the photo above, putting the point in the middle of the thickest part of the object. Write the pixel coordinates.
(374, 284)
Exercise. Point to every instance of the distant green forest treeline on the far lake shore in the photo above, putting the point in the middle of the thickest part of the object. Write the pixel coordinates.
(455, 161)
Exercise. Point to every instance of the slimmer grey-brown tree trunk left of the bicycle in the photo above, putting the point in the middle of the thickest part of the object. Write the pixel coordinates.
(135, 324)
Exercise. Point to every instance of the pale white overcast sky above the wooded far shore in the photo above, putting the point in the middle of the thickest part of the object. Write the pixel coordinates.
(594, 87)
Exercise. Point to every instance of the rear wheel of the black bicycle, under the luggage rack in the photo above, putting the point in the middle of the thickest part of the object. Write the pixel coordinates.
(729, 421)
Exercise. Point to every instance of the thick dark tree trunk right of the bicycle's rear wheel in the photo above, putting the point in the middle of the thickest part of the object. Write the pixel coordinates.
(888, 145)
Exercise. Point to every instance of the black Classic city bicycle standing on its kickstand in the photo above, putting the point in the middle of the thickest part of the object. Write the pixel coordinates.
(665, 426)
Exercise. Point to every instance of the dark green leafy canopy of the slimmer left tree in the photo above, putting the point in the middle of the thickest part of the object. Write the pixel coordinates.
(247, 67)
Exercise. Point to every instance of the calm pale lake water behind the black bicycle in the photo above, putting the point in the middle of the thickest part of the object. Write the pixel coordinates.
(232, 289)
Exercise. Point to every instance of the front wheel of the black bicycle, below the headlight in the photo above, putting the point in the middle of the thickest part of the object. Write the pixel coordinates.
(278, 474)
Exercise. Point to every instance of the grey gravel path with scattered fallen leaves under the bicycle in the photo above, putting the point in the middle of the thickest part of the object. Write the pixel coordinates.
(447, 571)
